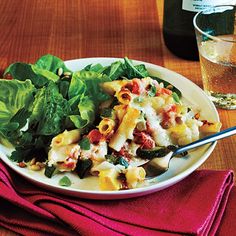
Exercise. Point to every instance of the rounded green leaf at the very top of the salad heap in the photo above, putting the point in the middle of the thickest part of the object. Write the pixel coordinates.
(51, 63)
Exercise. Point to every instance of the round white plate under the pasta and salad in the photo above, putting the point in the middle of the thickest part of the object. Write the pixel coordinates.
(179, 167)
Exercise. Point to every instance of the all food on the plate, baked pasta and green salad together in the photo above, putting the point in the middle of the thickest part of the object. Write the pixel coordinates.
(100, 121)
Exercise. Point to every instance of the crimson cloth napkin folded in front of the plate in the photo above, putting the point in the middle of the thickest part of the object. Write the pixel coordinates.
(192, 206)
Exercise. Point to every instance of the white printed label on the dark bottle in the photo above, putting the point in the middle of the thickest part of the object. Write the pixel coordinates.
(199, 5)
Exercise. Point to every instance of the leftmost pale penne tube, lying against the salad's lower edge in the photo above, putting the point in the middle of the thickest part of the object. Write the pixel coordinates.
(66, 138)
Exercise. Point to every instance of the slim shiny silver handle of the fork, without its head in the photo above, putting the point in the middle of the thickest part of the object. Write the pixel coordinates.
(208, 139)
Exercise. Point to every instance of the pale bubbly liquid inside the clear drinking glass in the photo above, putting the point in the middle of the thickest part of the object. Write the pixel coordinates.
(218, 65)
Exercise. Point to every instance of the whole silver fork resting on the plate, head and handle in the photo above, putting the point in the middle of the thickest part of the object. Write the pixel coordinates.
(159, 165)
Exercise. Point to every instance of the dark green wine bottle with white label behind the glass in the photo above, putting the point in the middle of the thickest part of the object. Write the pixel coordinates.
(178, 30)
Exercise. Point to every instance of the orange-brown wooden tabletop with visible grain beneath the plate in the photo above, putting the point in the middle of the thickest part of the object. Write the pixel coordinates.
(115, 28)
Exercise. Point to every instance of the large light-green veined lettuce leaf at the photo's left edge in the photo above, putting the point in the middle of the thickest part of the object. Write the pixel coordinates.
(16, 100)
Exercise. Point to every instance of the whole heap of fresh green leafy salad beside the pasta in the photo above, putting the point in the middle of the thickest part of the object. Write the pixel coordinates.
(39, 101)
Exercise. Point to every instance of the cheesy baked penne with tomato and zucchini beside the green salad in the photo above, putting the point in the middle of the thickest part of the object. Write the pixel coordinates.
(141, 114)
